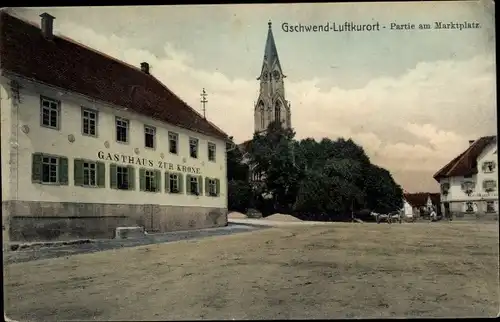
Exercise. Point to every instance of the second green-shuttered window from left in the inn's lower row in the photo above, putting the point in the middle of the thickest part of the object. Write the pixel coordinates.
(89, 173)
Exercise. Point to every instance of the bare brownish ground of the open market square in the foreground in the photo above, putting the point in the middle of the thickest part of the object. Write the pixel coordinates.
(328, 271)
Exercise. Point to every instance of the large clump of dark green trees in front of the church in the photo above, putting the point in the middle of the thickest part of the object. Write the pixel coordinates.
(329, 179)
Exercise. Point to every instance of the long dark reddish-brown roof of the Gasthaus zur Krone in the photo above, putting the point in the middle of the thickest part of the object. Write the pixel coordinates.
(65, 64)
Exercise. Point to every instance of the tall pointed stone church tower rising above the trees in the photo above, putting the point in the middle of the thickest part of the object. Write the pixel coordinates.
(271, 104)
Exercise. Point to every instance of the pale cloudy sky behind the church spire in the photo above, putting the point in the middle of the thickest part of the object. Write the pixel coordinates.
(412, 99)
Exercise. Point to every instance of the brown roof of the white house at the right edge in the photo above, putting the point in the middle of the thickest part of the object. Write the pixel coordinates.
(466, 162)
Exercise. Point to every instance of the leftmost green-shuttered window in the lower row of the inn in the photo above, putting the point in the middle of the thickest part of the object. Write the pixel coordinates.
(49, 169)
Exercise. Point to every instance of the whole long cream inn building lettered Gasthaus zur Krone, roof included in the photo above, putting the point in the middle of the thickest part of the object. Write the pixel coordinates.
(89, 143)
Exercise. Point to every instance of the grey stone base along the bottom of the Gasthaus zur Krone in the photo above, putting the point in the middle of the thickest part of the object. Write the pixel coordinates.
(48, 221)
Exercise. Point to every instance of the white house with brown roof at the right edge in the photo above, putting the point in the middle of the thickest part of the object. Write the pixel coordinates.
(469, 187)
